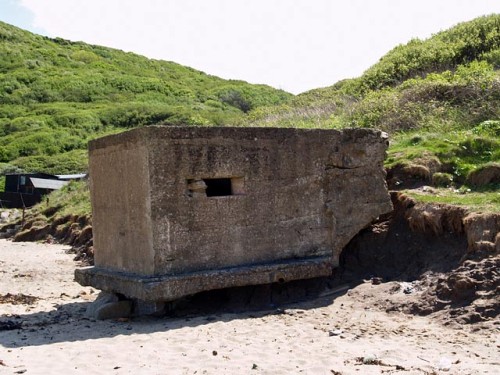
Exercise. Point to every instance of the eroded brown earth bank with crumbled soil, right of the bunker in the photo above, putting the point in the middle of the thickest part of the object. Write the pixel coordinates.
(430, 259)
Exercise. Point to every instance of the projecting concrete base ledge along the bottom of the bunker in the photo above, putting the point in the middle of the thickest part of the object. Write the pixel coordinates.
(171, 287)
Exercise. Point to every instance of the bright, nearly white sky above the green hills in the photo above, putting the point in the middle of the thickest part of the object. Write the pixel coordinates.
(294, 45)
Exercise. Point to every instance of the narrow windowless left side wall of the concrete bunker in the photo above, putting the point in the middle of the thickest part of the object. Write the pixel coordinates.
(120, 189)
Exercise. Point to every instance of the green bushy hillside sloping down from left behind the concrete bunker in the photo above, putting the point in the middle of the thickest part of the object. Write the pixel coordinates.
(55, 95)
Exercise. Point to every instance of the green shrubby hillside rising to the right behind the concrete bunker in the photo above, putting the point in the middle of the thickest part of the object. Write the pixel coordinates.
(439, 99)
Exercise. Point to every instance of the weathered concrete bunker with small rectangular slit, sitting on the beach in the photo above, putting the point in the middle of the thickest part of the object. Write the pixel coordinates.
(294, 196)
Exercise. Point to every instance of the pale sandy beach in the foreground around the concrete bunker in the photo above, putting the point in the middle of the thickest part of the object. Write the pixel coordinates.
(44, 330)
